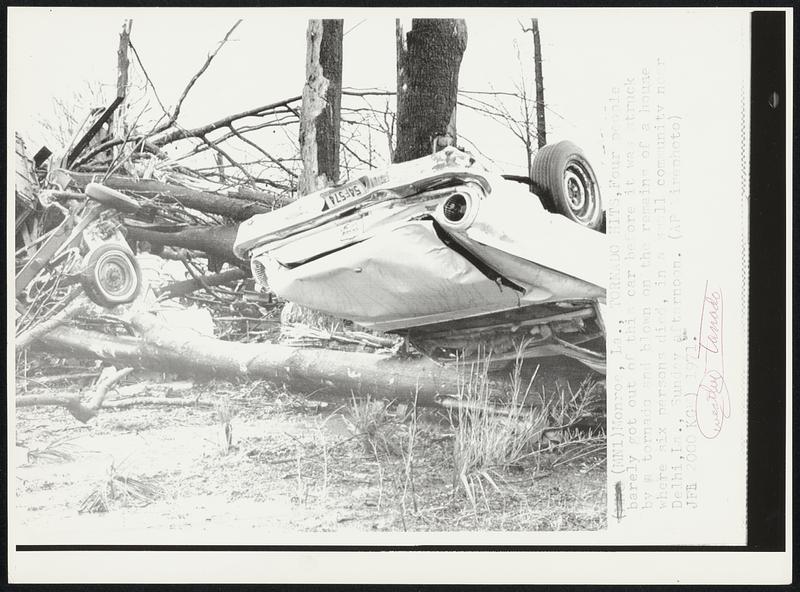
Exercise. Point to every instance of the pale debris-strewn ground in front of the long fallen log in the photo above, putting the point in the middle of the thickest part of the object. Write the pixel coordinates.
(292, 465)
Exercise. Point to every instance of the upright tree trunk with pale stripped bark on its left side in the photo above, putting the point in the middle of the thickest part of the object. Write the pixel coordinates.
(321, 110)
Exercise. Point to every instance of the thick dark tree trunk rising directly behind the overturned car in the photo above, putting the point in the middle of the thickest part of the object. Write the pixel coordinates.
(428, 63)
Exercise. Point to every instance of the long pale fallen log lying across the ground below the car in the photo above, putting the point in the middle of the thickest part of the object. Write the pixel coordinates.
(308, 370)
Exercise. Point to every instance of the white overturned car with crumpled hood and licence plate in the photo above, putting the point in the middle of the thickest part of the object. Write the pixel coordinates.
(459, 259)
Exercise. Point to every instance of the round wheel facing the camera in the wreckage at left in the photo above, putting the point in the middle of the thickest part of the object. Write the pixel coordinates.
(112, 276)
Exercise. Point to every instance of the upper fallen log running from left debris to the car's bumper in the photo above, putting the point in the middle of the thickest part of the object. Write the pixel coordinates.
(204, 201)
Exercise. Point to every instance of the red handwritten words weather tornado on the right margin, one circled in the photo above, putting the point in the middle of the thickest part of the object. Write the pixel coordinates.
(712, 400)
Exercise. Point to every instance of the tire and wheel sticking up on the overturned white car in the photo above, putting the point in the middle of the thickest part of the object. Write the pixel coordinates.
(567, 185)
